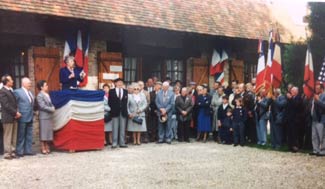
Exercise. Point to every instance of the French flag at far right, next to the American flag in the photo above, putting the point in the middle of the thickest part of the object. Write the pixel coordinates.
(309, 81)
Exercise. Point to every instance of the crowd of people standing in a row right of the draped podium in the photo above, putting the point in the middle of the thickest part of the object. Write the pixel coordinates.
(232, 114)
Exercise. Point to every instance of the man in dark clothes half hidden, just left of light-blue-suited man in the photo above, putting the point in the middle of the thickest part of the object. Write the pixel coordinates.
(153, 118)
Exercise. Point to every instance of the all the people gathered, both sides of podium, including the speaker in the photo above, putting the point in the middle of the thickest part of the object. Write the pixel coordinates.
(162, 112)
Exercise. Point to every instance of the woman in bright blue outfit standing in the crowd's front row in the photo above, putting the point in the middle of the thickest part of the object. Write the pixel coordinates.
(204, 117)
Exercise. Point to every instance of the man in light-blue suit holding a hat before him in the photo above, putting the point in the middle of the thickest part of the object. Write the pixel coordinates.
(165, 102)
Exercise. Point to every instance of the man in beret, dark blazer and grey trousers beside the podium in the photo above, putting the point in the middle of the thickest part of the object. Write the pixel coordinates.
(118, 99)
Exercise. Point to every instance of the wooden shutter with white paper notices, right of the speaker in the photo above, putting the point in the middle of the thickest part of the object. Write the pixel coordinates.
(110, 67)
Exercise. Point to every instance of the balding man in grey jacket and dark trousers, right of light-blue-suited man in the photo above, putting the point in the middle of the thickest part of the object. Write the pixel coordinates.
(184, 108)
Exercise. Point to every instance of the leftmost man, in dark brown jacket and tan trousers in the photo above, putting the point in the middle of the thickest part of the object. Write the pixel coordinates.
(9, 114)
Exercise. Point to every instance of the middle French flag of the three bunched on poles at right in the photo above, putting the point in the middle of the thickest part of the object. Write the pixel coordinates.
(268, 72)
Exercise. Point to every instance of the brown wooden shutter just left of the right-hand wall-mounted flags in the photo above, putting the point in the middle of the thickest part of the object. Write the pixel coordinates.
(200, 71)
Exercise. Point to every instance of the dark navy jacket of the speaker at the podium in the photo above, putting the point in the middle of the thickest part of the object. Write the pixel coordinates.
(64, 77)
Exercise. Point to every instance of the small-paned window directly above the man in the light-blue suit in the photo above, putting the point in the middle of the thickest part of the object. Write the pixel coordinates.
(175, 69)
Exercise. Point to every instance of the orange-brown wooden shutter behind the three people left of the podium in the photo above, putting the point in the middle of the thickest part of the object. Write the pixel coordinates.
(46, 66)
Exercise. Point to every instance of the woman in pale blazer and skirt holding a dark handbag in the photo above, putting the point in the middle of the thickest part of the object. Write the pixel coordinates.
(137, 104)
